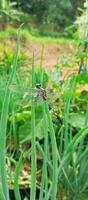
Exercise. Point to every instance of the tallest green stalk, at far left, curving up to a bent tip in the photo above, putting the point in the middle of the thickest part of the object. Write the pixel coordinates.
(3, 127)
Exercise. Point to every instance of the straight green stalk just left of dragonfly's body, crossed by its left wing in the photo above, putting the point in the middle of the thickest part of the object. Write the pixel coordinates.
(33, 150)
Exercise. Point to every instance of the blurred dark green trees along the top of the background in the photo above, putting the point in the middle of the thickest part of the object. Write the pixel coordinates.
(55, 15)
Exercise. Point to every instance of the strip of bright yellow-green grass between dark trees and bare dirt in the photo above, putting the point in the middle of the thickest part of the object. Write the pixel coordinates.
(36, 35)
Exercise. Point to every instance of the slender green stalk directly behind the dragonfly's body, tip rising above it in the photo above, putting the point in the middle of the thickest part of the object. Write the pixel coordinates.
(44, 180)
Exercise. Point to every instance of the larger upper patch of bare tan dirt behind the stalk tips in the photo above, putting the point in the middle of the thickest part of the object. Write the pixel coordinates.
(51, 52)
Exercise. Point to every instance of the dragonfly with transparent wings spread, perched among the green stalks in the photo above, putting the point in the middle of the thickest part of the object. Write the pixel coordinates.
(23, 95)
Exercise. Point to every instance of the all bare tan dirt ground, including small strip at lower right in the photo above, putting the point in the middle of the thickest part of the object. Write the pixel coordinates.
(51, 53)
